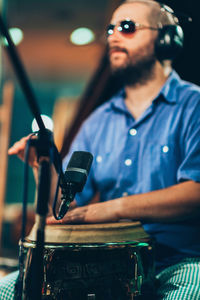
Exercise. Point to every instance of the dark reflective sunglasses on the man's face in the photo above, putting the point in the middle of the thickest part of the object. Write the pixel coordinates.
(127, 27)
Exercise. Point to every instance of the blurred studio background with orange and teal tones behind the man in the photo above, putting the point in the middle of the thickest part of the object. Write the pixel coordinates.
(62, 46)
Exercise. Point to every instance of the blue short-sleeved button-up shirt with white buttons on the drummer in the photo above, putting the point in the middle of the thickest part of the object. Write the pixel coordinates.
(158, 150)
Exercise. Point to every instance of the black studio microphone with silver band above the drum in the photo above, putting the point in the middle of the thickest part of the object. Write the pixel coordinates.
(74, 178)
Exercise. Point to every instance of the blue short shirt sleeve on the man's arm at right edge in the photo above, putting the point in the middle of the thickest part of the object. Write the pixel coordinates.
(190, 165)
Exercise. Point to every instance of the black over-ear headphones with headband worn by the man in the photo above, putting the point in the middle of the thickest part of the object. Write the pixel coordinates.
(170, 37)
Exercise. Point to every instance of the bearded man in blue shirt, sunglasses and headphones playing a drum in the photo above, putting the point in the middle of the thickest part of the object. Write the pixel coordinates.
(146, 146)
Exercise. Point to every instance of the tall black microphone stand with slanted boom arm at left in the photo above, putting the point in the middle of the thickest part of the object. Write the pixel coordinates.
(45, 148)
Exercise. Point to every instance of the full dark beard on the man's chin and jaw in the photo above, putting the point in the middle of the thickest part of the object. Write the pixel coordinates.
(134, 73)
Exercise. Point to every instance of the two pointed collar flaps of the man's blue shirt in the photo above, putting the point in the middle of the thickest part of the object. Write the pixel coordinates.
(168, 93)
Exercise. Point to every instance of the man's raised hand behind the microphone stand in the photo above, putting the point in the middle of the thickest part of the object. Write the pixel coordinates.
(19, 149)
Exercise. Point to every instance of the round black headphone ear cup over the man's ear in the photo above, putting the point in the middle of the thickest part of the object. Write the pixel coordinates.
(169, 42)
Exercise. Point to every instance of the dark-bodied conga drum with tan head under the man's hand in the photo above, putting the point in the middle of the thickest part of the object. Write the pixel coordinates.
(112, 261)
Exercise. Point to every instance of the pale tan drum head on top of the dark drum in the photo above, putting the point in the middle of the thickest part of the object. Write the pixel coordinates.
(92, 233)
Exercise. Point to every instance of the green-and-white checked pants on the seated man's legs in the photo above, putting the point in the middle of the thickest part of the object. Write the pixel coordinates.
(178, 282)
